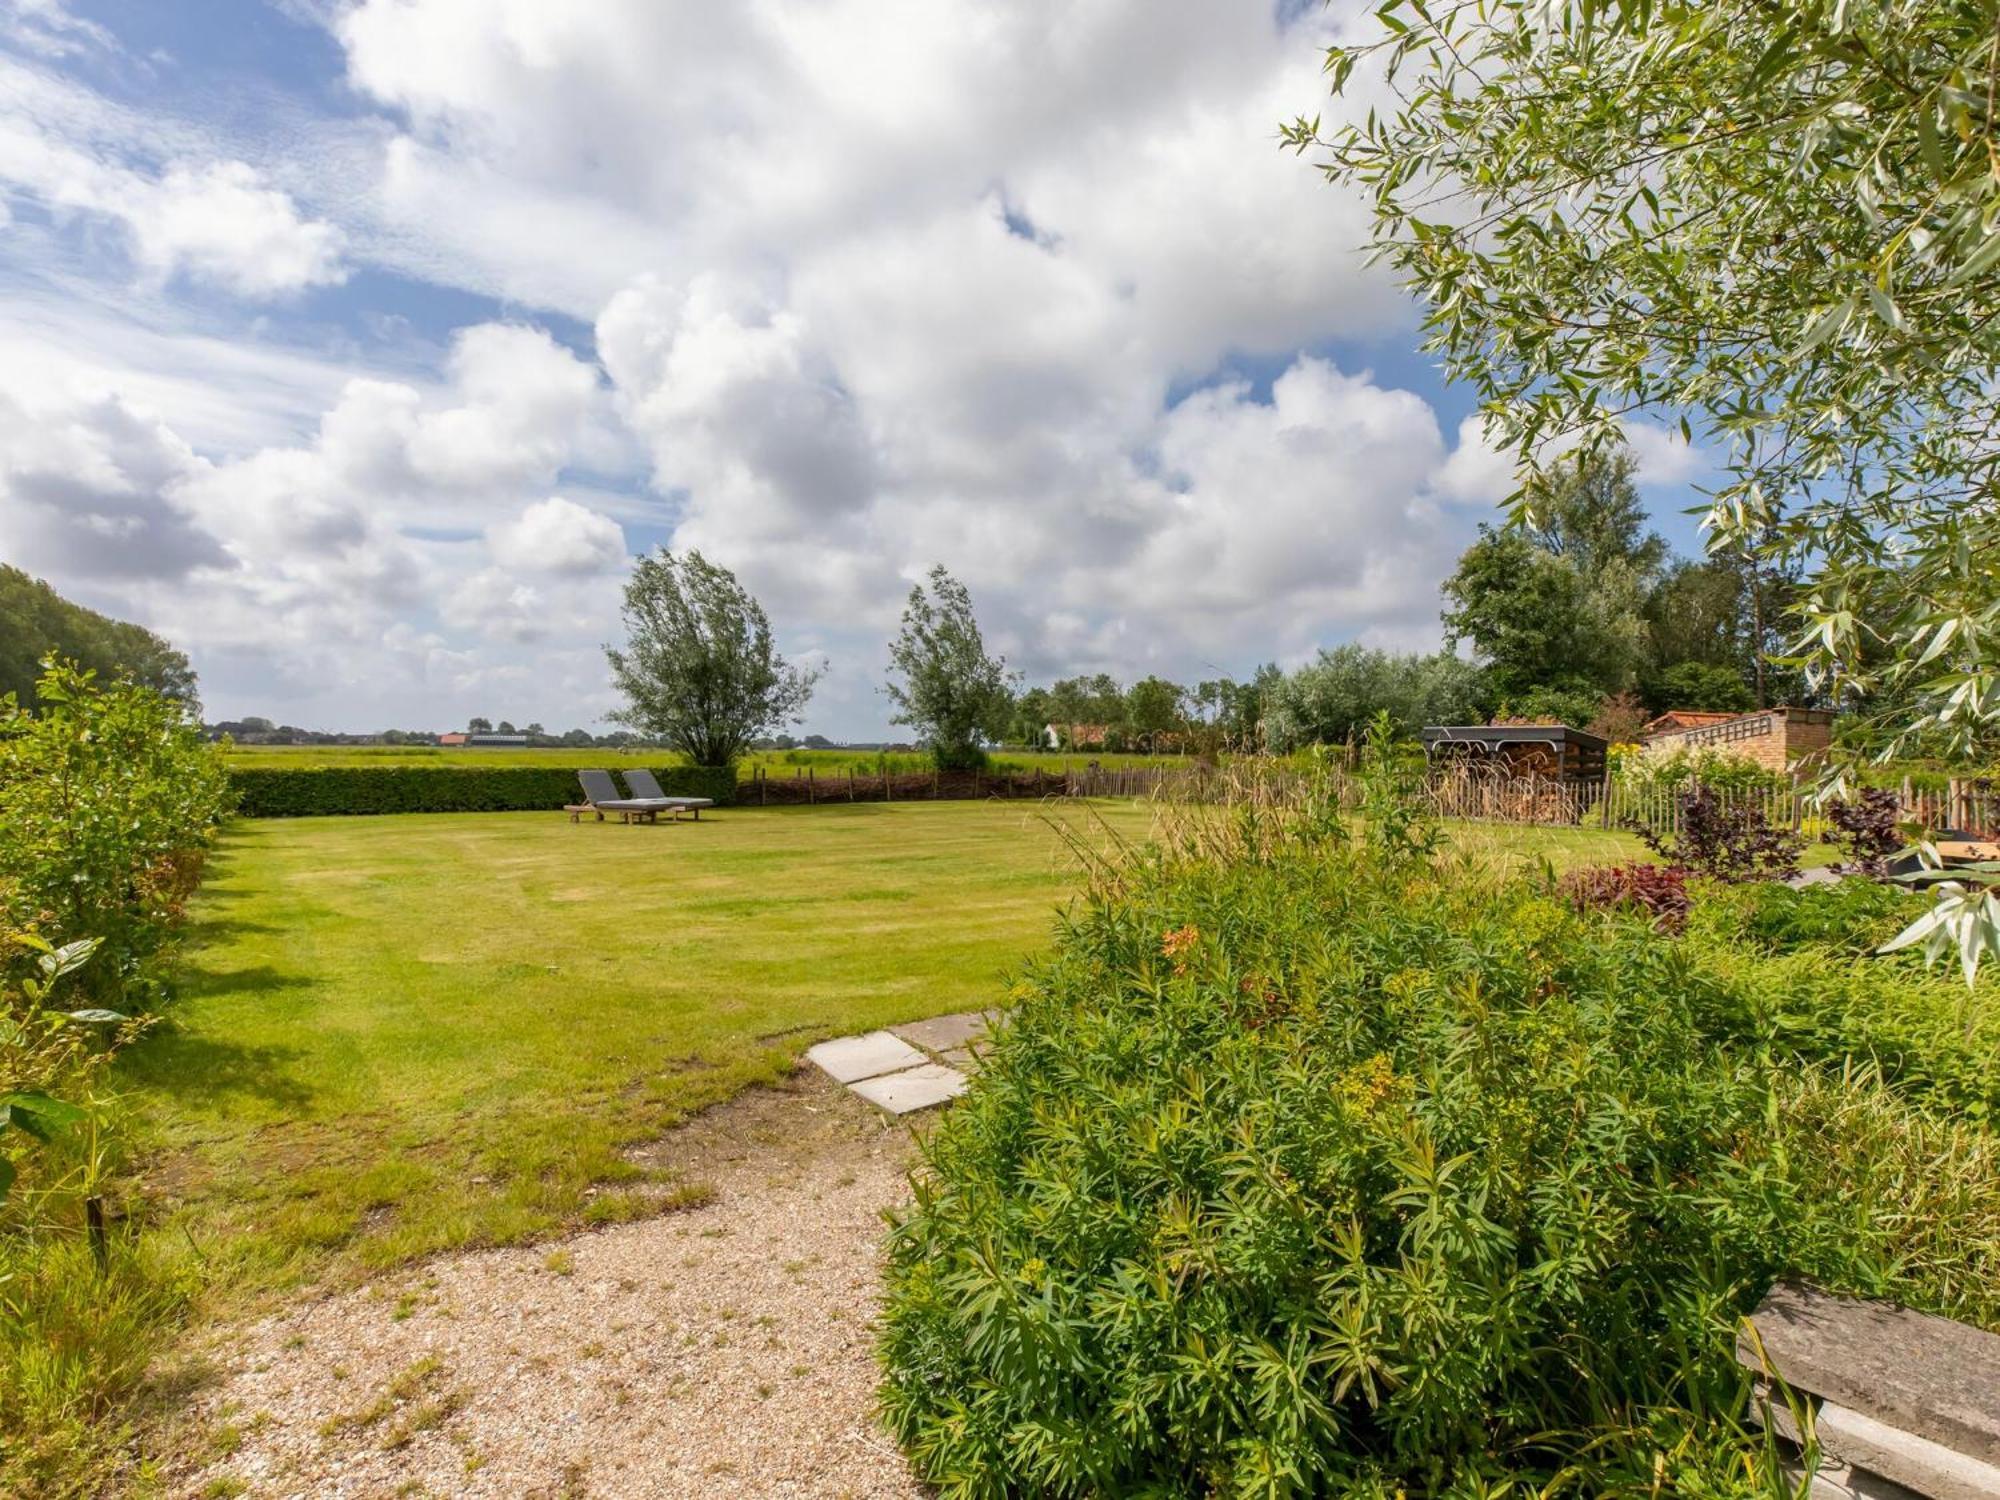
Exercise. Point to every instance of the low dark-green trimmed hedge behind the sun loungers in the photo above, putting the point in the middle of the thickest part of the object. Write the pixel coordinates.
(277, 793)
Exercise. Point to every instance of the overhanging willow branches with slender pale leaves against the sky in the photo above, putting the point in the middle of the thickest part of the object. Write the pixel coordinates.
(1767, 223)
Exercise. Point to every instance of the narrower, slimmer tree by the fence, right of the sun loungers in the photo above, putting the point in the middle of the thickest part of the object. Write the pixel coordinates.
(943, 681)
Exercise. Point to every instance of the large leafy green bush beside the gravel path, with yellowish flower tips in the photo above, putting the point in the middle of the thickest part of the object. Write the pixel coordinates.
(1301, 1175)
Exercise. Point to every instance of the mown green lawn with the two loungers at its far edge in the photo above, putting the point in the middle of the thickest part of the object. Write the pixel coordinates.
(401, 1035)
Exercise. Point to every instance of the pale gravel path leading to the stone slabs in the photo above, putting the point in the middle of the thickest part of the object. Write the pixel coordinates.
(721, 1351)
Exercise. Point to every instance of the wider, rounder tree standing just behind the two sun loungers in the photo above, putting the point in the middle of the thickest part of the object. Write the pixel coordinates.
(699, 671)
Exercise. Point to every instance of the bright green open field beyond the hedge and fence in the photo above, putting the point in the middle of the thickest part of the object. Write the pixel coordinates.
(773, 763)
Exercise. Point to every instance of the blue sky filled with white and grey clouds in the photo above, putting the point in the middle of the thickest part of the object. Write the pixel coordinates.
(361, 345)
